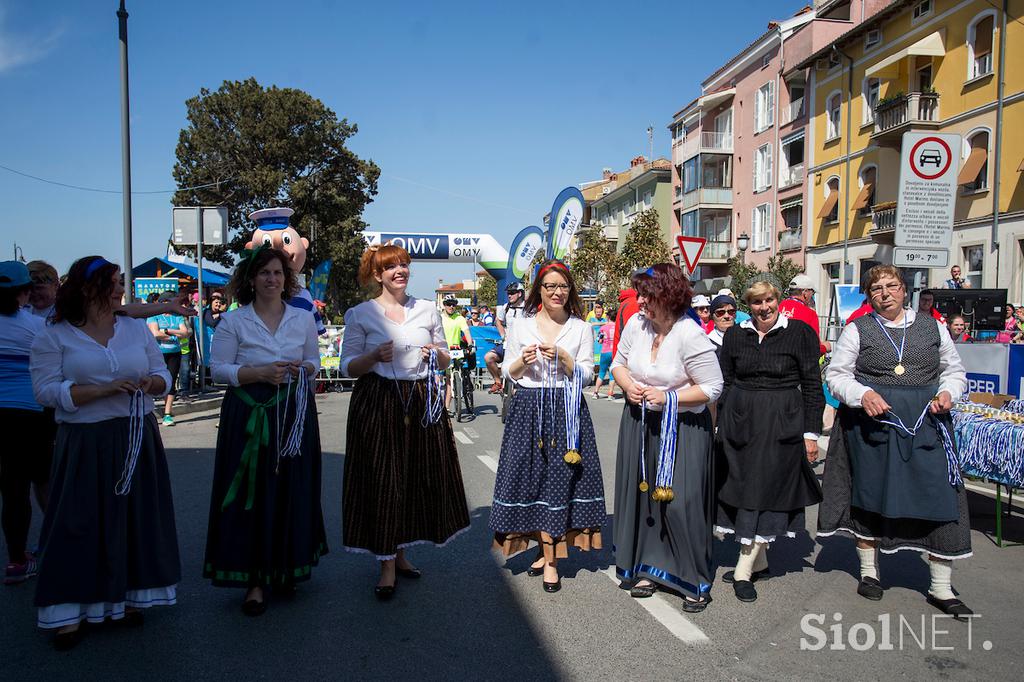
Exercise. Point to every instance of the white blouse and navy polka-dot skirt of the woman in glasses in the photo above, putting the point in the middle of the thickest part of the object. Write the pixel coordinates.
(548, 490)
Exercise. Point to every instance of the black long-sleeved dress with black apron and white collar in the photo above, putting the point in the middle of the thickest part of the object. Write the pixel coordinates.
(772, 402)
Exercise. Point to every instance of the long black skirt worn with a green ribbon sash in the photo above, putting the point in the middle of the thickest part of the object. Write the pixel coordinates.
(282, 538)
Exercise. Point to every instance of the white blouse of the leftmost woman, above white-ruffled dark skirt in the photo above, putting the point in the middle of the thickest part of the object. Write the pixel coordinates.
(64, 356)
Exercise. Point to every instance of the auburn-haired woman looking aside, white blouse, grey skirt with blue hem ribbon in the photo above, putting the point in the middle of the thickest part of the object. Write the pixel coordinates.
(665, 502)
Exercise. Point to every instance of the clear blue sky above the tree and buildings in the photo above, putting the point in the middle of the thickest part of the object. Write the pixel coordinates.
(504, 104)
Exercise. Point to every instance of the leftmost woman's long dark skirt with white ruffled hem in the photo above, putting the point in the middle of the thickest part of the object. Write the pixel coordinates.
(102, 550)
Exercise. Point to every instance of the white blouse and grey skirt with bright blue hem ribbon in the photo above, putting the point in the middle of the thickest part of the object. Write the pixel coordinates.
(667, 542)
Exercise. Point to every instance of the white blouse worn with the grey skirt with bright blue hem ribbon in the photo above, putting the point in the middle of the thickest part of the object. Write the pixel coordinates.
(687, 358)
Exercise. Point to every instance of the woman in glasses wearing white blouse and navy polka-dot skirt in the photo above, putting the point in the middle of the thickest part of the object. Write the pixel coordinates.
(549, 488)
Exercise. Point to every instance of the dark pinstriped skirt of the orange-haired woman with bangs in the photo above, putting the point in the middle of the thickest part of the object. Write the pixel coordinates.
(403, 482)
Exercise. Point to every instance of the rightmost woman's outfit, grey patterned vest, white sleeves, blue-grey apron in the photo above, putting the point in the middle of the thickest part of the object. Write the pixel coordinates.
(895, 479)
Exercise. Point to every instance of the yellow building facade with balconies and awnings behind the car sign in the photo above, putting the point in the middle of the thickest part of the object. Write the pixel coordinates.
(921, 67)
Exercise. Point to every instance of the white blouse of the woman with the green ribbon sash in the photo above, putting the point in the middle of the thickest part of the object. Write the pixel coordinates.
(242, 339)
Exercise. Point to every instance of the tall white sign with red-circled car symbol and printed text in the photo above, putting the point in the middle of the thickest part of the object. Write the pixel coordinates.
(929, 165)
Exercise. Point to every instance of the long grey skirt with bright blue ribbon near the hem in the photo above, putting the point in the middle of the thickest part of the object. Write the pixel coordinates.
(669, 543)
